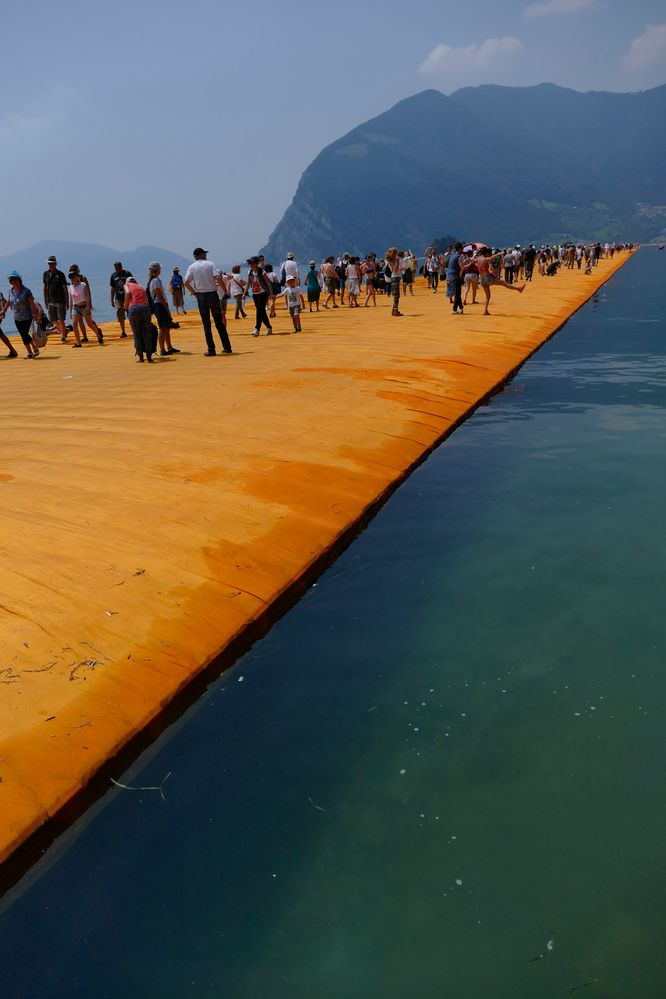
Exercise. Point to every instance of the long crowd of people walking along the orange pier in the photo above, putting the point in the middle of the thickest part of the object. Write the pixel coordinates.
(334, 283)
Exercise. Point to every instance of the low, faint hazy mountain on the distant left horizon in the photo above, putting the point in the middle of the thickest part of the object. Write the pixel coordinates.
(92, 259)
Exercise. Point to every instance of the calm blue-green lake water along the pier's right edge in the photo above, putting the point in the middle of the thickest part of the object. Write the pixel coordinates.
(447, 759)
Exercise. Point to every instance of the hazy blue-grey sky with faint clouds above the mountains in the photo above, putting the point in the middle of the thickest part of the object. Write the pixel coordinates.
(178, 123)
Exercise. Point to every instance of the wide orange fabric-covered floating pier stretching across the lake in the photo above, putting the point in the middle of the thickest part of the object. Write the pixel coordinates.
(154, 518)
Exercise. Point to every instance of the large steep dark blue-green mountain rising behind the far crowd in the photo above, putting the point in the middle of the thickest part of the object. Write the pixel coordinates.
(498, 164)
